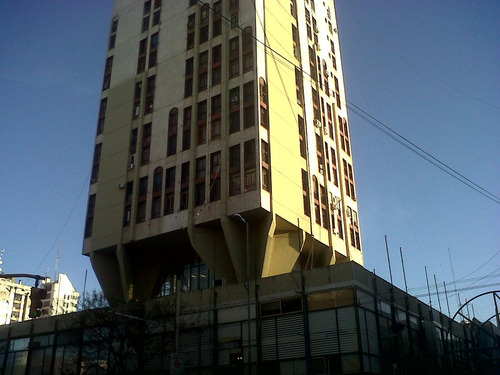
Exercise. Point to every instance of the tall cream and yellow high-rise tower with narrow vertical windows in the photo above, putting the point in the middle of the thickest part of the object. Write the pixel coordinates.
(222, 150)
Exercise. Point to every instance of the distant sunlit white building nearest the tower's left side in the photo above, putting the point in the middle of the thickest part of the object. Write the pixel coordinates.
(62, 297)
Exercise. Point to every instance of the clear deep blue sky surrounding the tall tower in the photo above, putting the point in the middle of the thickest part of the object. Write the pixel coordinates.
(428, 69)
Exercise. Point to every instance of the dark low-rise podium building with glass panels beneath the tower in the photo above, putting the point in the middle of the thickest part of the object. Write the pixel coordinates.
(340, 319)
